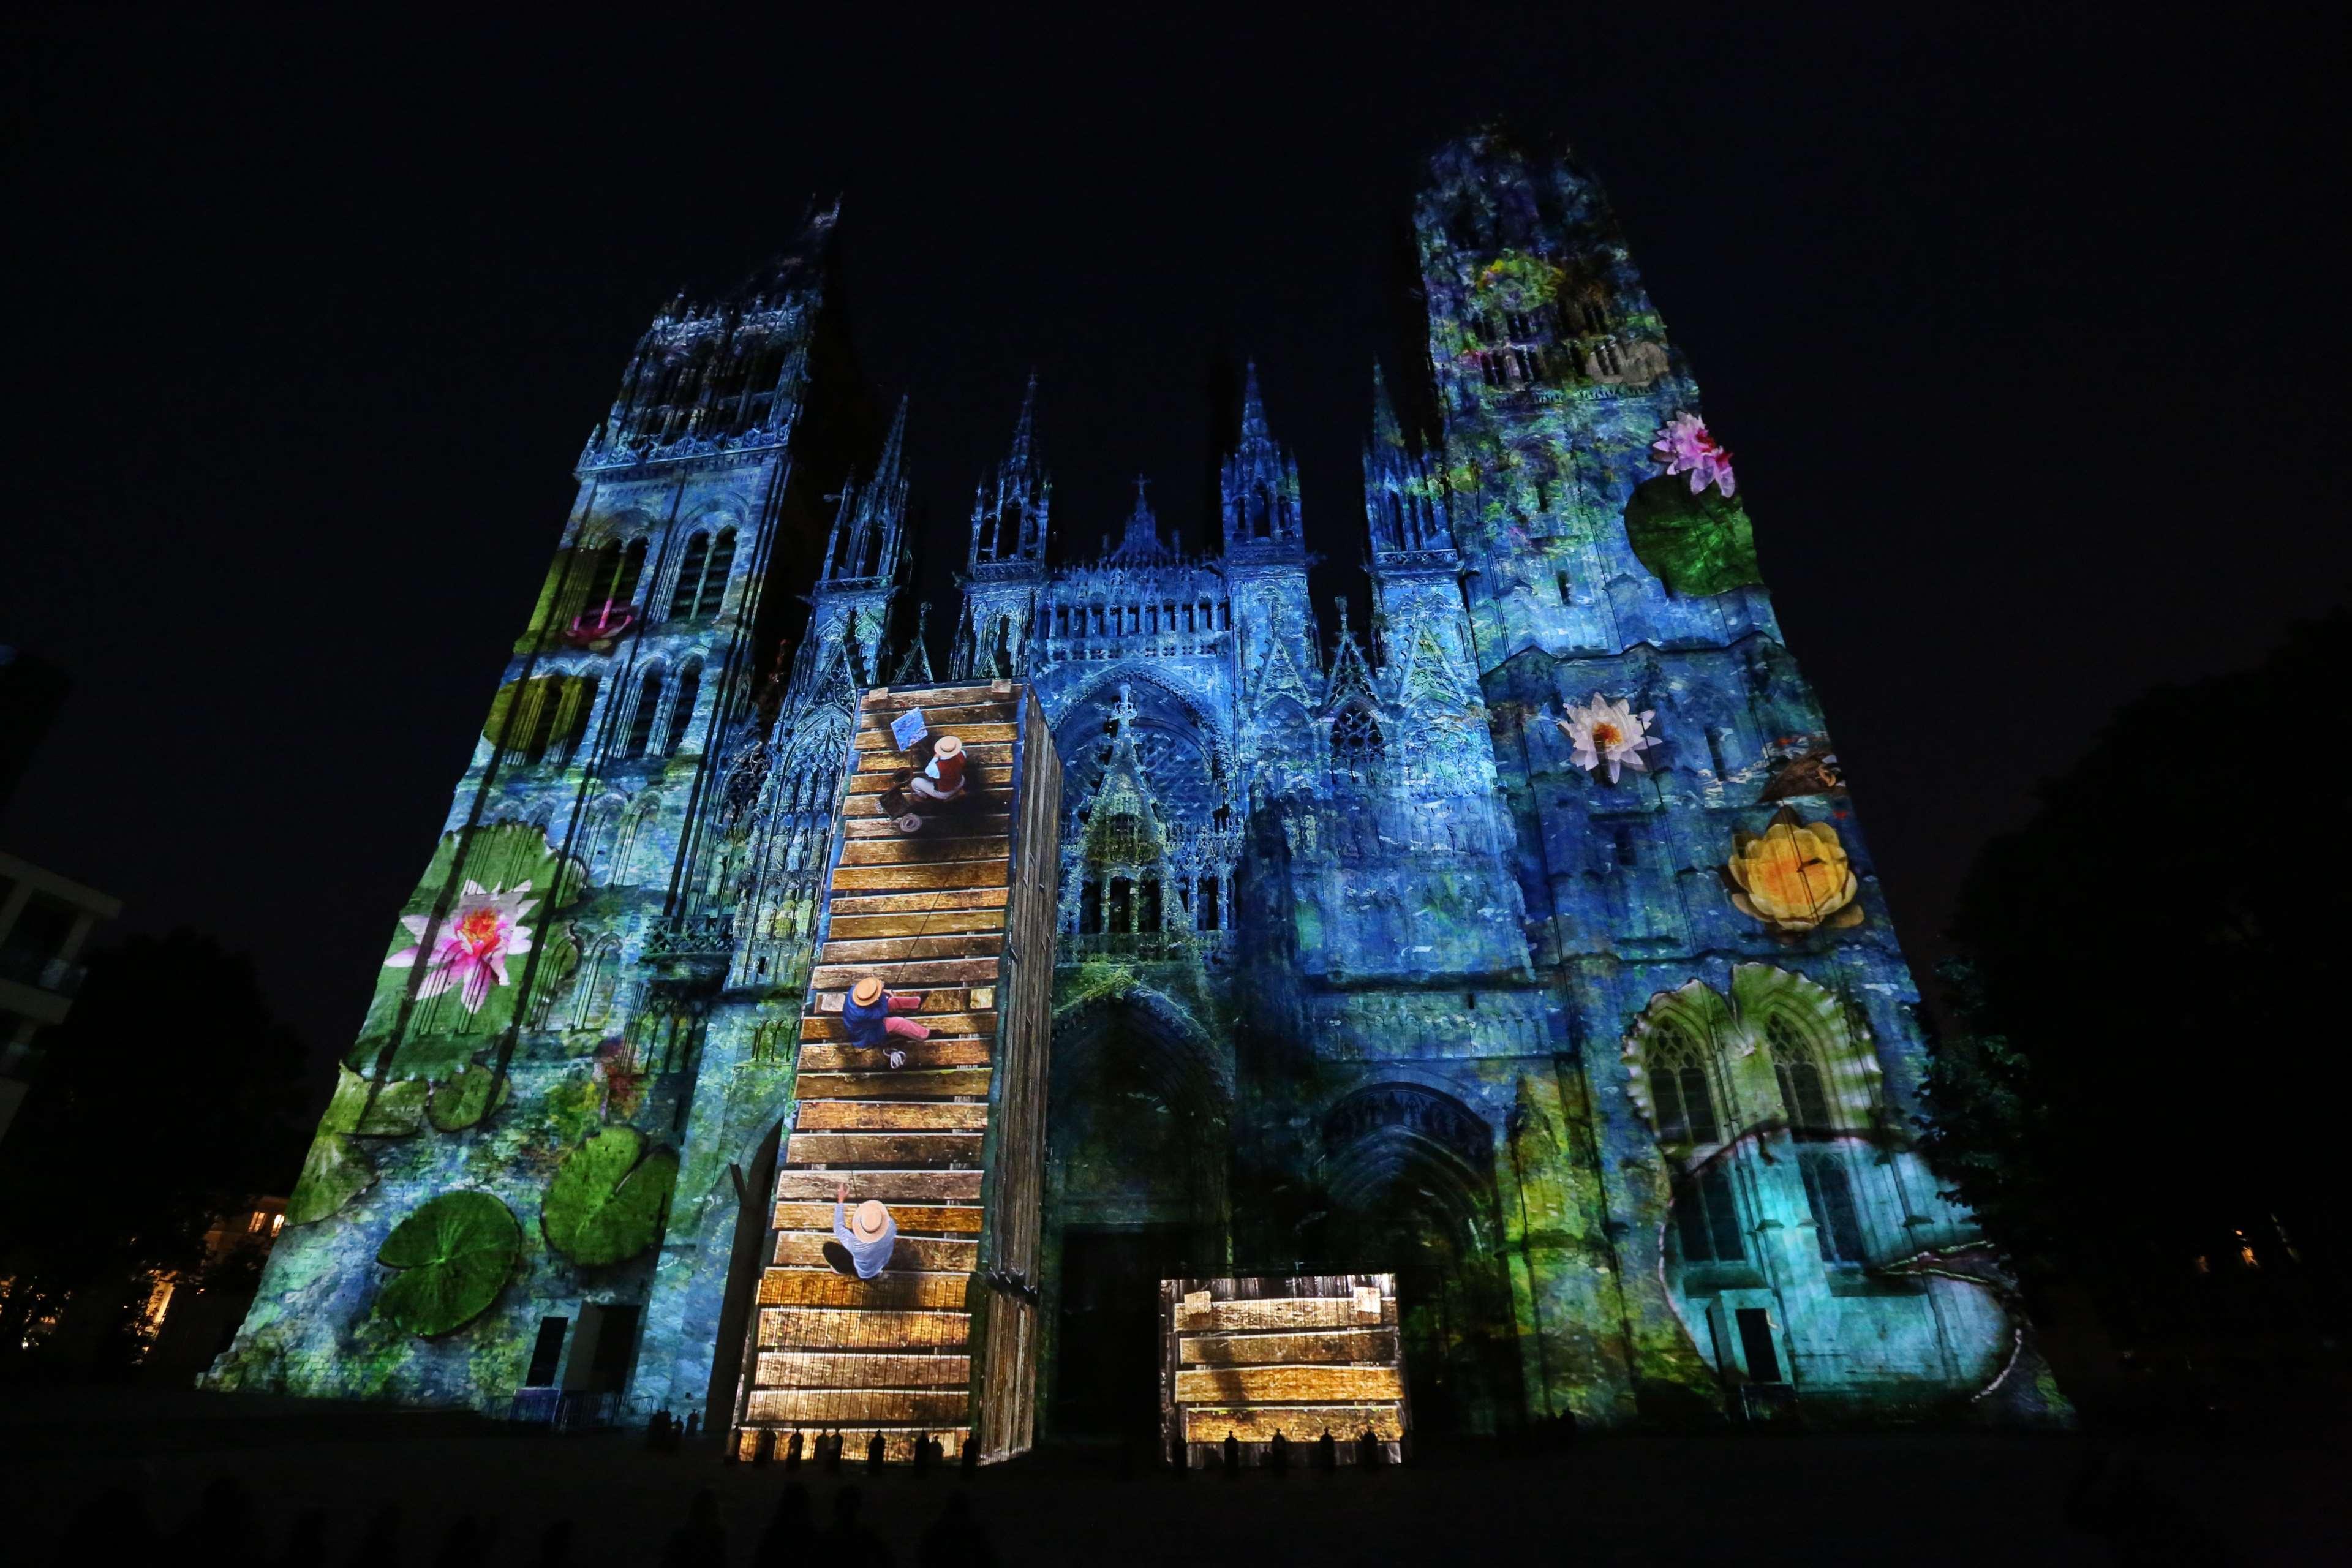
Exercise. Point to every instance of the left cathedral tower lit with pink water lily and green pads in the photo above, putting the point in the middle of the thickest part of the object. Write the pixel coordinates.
(523, 1184)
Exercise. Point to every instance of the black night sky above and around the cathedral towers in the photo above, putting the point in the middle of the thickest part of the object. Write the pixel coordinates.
(2026, 335)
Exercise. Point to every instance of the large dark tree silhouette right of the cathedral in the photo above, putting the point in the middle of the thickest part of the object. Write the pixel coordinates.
(2149, 1000)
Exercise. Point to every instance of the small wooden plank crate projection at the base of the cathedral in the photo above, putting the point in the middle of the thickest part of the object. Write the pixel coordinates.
(1299, 1355)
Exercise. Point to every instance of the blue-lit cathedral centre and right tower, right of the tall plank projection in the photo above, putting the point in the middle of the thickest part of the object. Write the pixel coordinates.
(1523, 942)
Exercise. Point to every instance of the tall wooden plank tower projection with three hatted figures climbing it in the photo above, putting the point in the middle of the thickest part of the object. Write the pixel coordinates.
(954, 1139)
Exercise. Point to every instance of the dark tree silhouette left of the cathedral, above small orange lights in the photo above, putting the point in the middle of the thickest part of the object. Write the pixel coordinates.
(168, 1099)
